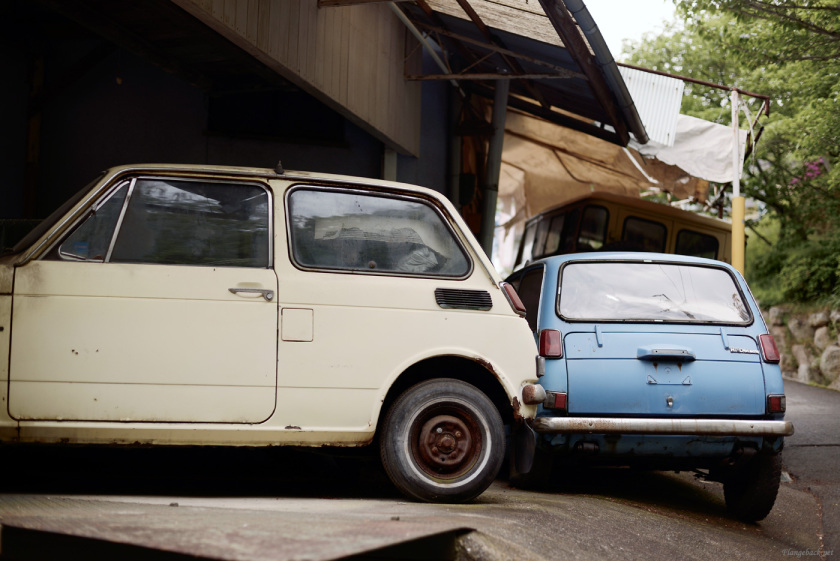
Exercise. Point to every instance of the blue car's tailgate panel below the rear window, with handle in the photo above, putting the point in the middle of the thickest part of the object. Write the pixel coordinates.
(679, 373)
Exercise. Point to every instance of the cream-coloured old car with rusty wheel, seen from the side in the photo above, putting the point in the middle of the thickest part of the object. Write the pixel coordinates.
(184, 305)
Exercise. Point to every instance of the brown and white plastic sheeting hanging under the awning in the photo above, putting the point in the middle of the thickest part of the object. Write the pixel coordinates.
(544, 165)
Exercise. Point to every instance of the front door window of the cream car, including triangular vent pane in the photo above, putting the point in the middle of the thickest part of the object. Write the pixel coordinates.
(176, 222)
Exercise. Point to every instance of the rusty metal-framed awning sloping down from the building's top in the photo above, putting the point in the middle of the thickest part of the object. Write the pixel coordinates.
(568, 77)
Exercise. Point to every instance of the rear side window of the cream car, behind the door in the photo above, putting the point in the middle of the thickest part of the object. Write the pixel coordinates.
(355, 231)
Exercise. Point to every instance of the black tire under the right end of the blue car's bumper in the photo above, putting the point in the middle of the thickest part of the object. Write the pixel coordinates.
(751, 491)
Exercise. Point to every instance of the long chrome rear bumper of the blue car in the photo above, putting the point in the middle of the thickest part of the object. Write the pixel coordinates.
(700, 427)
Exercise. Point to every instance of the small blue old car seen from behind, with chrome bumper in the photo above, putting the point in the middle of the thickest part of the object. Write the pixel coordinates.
(657, 361)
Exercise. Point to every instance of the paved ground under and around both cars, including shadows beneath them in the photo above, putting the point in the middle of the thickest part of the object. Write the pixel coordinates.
(296, 505)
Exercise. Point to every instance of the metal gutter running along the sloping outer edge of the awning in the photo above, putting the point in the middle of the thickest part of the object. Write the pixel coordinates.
(609, 68)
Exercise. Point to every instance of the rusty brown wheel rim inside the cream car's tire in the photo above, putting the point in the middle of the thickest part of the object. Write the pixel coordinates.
(446, 442)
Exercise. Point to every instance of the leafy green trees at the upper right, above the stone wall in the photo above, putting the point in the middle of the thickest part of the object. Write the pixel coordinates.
(790, 52)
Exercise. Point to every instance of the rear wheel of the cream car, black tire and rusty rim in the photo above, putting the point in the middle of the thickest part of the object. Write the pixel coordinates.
(442, 441)
